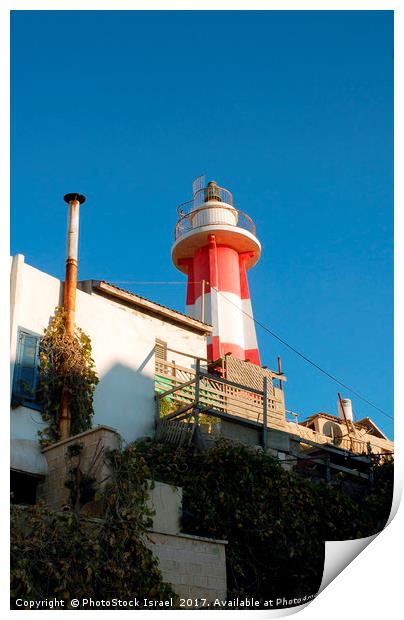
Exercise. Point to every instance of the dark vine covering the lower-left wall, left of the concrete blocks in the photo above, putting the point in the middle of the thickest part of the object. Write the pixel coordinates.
(71, 555)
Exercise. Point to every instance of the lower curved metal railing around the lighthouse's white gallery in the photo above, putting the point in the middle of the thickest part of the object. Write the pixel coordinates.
(215, 215)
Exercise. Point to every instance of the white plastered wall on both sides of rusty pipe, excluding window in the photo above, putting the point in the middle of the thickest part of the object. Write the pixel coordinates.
(123, 342)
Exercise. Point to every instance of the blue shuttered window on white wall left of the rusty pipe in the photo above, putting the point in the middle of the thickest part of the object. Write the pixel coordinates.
(25, 381)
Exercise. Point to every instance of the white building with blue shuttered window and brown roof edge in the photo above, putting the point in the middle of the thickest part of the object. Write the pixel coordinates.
(123, 328)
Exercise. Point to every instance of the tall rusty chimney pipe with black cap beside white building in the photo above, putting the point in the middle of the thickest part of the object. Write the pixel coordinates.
(69, 295)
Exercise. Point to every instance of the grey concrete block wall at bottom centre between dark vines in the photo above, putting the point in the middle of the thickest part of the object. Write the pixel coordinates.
(194, 566)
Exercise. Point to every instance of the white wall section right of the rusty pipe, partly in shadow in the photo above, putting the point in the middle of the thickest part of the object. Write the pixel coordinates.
(123, 342)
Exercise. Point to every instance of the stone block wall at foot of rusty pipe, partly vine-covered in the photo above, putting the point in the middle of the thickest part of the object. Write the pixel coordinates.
(95, 443)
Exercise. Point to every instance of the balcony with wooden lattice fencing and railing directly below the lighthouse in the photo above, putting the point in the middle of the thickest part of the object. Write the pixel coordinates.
(191, 396)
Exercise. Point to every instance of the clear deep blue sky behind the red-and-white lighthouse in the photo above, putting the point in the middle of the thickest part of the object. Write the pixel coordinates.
(291, 110)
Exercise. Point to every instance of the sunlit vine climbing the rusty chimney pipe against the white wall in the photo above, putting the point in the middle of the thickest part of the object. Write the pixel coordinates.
(65, 363)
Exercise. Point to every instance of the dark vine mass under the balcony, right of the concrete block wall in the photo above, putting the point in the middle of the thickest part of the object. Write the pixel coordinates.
(275, 521)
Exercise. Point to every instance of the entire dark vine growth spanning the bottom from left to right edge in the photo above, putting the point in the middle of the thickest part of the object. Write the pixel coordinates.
(275, 523)
